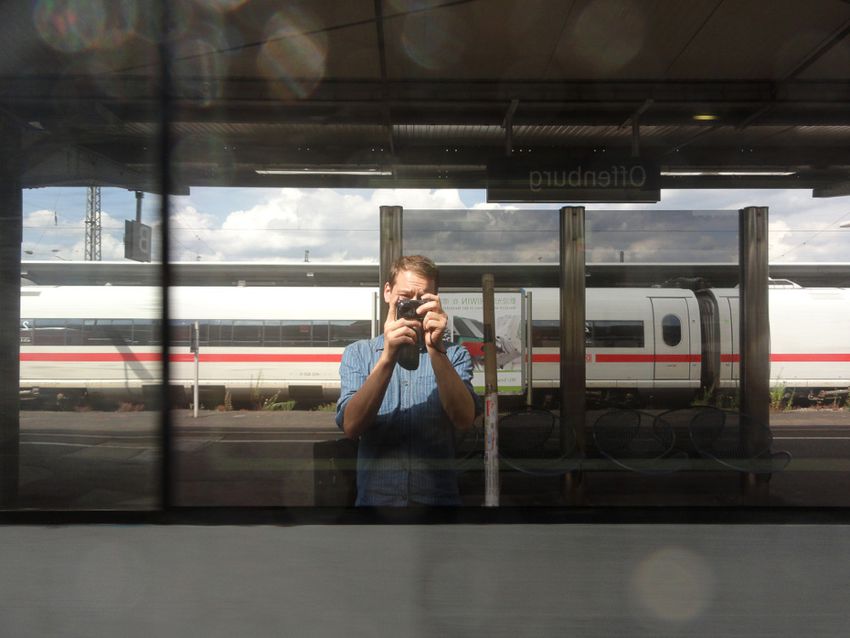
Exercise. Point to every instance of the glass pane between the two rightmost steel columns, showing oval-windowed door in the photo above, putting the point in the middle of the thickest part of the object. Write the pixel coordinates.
(652, 275)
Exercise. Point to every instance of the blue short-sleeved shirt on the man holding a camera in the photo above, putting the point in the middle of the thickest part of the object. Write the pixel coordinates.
(407, 455)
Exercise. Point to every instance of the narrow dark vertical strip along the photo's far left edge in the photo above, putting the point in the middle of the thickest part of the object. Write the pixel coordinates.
(11, 229)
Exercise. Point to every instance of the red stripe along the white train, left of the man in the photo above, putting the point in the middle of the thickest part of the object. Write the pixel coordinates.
(178, 358)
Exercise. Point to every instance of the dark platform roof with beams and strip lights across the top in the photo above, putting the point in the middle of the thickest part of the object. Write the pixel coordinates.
(424, 93)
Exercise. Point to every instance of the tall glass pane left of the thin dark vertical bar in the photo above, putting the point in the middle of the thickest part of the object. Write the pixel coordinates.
(90, 374)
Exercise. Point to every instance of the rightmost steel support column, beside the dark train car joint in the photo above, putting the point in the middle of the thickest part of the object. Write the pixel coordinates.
(754, 329)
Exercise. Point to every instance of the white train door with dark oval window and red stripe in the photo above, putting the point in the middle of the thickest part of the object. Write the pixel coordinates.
(672, 354)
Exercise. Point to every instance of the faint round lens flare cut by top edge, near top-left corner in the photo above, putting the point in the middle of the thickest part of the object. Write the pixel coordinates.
(72, 26)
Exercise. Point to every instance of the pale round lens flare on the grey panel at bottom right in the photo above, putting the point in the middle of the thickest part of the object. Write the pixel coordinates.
(674, 585)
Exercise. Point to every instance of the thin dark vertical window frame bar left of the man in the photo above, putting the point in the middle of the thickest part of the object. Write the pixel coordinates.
(167, 470)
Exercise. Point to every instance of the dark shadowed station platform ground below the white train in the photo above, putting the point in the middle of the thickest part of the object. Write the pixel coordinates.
(100, 460)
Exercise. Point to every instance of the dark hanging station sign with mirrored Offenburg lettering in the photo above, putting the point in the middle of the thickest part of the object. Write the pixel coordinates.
(599, 178)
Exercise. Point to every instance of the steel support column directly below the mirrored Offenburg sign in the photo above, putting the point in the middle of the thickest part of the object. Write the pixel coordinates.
(572, 303)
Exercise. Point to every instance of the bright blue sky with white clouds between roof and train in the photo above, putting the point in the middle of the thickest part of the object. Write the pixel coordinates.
(337, 225)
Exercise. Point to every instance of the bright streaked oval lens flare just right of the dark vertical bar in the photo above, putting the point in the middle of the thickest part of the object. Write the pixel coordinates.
(294, 55)
